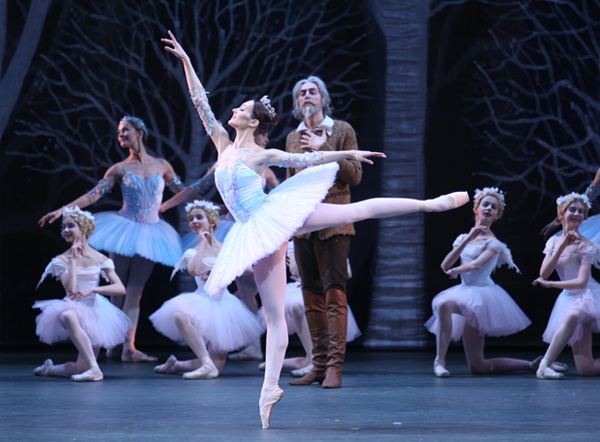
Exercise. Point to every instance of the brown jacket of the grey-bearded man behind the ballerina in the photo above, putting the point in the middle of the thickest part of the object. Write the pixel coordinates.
(342, 138)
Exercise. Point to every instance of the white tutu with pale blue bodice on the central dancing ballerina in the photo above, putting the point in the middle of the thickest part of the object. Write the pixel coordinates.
(263, 221)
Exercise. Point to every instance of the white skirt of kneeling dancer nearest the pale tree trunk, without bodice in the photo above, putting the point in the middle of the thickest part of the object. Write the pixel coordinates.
(488, 308)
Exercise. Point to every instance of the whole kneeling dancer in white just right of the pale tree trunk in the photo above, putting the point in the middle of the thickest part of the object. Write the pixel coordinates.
(478, 307)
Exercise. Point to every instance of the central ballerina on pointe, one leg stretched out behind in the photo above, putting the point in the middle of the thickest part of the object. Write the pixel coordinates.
(265, 222)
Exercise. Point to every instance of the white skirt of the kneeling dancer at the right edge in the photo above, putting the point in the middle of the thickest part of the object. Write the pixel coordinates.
(587, 301)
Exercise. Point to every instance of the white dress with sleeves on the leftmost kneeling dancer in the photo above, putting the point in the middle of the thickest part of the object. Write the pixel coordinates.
(105, 324)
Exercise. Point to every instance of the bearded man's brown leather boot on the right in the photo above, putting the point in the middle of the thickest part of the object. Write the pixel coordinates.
(337, 319)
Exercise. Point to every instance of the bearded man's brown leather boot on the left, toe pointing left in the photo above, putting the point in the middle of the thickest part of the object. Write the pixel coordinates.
(316, 317)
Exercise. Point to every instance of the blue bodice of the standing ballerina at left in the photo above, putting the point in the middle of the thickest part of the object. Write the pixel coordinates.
(141, 197)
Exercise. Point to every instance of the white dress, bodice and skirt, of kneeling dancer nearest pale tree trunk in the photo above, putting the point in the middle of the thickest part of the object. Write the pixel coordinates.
(482, 303)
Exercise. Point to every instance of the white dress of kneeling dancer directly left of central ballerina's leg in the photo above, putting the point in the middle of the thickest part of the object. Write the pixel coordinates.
(223, 320)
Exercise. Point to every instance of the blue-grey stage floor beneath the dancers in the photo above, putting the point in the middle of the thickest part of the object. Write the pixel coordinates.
(386, 396)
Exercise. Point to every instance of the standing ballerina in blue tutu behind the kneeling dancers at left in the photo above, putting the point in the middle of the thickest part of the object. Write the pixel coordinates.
(135, 236)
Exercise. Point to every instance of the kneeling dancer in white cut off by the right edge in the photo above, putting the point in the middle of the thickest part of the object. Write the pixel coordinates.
(576, 312)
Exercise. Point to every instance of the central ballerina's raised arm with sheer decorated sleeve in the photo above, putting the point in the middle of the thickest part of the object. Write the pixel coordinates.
(214, 129)
